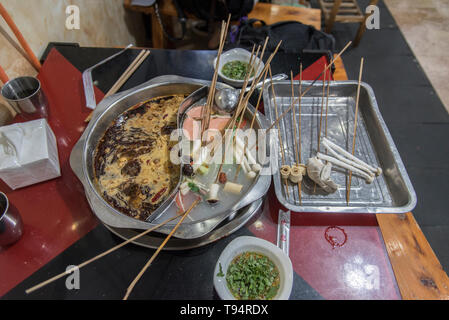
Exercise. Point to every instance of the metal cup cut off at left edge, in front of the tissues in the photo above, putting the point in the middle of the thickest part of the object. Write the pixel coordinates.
(11, 226)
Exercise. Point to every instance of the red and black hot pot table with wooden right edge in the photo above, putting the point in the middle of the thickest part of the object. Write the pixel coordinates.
(381, 257)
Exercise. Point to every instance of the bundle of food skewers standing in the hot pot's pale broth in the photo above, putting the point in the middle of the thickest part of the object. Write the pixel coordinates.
(203, 151)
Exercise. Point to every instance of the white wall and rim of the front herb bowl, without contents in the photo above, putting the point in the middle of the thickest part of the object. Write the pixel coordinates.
(253, 244)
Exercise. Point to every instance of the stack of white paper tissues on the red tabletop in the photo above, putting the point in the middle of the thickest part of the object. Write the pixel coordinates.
(28, 154)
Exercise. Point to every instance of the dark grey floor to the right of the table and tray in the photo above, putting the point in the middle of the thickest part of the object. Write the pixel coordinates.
(415, 116)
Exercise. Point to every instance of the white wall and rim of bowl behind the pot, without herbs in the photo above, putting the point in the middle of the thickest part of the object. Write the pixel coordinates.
(232, 55)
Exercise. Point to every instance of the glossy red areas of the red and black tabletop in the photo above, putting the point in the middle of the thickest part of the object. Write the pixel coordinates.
(56, 213)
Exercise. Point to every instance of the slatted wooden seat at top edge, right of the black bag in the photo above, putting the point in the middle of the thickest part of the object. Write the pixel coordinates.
(344, 11)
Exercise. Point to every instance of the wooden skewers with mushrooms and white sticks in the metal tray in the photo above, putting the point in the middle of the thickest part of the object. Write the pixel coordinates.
(319, 167)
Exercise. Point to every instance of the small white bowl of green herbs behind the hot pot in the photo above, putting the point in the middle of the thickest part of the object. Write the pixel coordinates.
(234, 66)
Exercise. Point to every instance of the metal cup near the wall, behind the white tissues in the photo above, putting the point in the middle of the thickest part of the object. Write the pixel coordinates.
(25, 94)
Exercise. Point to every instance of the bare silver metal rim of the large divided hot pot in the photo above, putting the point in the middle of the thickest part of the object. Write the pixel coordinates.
(81, 160)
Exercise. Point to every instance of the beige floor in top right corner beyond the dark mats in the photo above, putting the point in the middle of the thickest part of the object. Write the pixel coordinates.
(425, 26)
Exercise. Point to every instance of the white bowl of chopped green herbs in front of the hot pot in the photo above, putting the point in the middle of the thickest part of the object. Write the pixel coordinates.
(251, 268)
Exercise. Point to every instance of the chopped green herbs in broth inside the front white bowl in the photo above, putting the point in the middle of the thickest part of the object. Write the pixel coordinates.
(253, 276)
